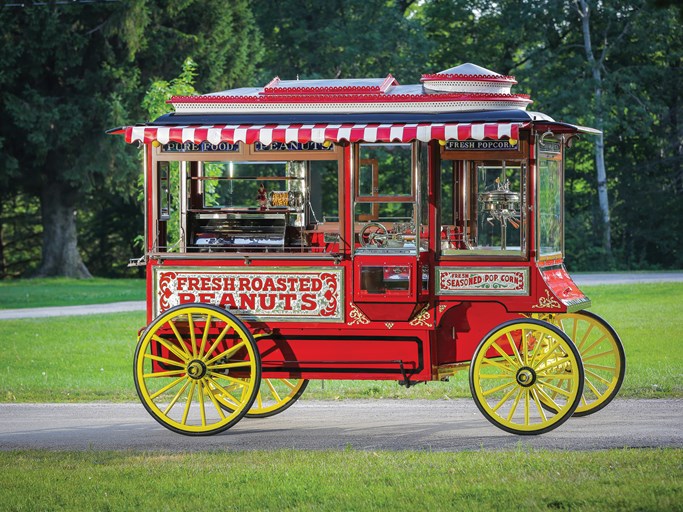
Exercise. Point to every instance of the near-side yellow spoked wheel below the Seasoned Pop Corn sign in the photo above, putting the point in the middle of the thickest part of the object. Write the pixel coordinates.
(515, 371)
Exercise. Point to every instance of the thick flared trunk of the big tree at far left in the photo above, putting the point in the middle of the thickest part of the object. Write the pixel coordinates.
(60, 243)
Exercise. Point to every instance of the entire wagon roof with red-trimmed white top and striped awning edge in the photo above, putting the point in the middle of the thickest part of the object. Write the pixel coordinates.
(465, 102)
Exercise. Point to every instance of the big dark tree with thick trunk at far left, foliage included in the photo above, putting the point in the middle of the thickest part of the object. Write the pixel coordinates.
(62, 77)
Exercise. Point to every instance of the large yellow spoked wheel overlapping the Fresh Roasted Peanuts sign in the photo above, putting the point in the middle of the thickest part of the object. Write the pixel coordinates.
(184, 356)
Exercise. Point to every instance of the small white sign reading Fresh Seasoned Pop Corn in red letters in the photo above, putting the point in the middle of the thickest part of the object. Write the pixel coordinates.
(474, 281)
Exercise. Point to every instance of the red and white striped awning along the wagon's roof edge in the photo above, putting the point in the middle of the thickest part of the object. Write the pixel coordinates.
(266, 134)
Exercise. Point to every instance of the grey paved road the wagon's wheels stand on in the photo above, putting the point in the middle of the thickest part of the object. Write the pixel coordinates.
(439, 425)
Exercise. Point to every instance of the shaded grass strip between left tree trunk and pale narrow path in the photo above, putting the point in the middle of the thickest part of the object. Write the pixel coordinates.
(35, 293)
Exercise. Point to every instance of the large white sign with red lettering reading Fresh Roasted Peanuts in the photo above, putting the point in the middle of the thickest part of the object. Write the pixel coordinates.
(260, 294)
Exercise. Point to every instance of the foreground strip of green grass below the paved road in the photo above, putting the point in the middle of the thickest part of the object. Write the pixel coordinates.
(346, 480)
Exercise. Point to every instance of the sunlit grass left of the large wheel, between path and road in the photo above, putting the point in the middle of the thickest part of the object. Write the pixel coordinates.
(66, 359)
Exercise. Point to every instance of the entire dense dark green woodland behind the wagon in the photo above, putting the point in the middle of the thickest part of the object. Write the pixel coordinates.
(69, 70)
